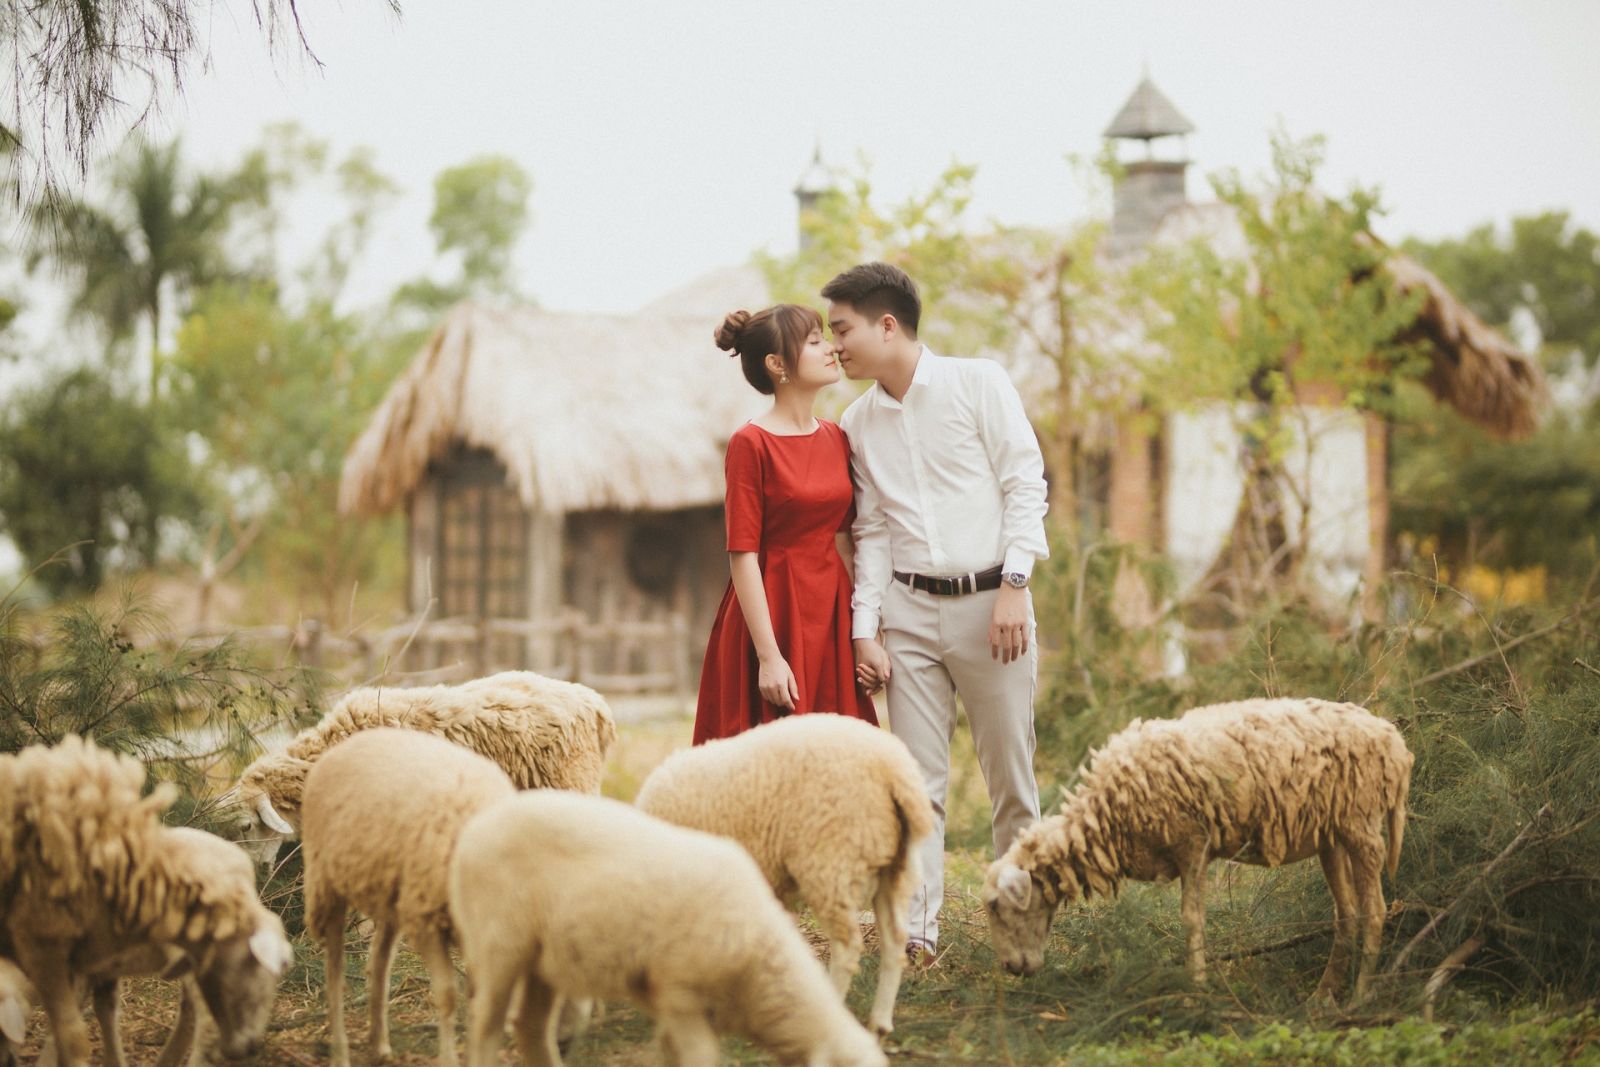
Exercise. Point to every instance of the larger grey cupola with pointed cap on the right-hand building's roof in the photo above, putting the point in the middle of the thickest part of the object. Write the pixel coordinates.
(1148, 188)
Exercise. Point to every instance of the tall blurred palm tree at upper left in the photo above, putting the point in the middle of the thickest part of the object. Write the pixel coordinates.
(159, 231)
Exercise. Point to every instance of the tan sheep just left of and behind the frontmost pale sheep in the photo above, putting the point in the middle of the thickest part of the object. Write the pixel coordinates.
(383, 810)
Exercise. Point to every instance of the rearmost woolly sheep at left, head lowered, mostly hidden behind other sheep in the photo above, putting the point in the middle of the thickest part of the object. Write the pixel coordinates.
(542, 732)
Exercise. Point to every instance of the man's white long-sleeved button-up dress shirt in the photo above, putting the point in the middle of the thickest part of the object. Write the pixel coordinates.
(950, 481)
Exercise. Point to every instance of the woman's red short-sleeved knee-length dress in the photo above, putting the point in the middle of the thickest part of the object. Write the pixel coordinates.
(788, 497)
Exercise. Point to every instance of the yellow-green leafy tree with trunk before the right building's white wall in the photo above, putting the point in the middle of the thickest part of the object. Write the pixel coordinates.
(1306, 311)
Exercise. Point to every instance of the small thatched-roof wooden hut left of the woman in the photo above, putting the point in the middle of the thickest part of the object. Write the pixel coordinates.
(562, 476)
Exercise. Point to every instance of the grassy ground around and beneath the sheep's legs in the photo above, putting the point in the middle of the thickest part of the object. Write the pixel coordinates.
(1113, 991)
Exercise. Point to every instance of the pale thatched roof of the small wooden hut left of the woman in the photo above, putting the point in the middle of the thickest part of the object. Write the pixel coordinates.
(586, 412)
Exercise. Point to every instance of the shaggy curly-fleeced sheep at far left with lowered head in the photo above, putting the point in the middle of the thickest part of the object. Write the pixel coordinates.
(94, 877)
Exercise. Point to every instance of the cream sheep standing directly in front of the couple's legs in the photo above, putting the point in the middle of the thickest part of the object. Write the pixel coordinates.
(831, 809)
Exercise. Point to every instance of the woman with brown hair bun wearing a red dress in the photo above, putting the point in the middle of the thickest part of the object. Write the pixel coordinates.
(782, 641)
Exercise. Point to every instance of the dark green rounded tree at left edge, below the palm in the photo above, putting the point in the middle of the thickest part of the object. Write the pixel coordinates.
(86, 466)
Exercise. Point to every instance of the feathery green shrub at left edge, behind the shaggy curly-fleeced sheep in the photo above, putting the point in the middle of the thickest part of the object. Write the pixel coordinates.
(102, 674)
